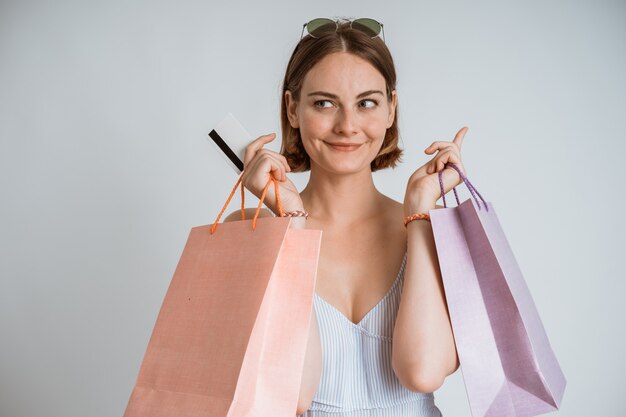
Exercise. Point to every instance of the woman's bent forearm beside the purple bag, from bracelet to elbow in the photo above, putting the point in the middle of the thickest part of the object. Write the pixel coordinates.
(423, 351)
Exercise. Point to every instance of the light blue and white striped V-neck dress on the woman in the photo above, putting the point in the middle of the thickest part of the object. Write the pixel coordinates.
(357, 379)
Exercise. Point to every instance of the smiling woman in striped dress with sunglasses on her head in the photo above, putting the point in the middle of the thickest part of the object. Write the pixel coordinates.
(378, 279)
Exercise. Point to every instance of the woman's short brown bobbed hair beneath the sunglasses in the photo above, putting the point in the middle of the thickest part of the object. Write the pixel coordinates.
(309, 52)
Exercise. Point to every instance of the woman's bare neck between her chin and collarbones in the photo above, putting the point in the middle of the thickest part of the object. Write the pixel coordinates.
(336, 199)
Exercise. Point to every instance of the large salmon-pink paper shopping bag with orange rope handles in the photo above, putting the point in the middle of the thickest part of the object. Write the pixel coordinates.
(231, 334)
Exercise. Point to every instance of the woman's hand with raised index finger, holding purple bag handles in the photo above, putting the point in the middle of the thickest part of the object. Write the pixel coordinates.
(423, 189)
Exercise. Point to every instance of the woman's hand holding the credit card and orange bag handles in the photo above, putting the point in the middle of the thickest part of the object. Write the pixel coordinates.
(259, 164)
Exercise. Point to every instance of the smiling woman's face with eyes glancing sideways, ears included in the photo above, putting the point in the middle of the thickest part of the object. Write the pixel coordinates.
(343, 113)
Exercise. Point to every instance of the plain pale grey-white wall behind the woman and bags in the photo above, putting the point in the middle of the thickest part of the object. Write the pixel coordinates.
(105, 166)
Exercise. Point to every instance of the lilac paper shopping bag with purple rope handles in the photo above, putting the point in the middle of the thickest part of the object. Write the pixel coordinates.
(507, 363)
